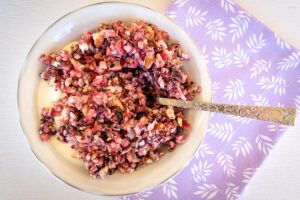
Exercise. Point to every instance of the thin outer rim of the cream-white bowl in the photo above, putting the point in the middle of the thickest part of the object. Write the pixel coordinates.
(21, 121)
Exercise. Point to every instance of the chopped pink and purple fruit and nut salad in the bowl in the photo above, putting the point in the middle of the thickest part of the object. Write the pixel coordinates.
(109, 80)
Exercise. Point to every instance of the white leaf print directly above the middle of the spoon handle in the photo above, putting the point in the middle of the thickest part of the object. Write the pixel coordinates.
(234, 90)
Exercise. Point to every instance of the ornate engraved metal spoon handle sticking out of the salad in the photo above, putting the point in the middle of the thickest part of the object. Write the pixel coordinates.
(284, 116)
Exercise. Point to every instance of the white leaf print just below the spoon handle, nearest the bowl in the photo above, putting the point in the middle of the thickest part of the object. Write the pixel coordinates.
(222, 132)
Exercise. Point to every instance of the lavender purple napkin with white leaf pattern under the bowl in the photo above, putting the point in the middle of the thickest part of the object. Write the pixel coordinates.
(248, 64)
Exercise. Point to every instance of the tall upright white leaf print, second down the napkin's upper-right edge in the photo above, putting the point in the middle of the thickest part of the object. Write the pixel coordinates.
(239, 25)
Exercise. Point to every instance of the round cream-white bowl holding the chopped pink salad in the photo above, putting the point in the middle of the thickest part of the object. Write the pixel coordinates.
(55, 156)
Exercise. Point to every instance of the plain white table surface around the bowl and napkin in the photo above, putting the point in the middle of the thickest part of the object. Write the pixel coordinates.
(22, 177)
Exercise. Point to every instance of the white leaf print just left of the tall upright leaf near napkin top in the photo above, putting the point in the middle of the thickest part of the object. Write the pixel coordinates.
(216, 30)
